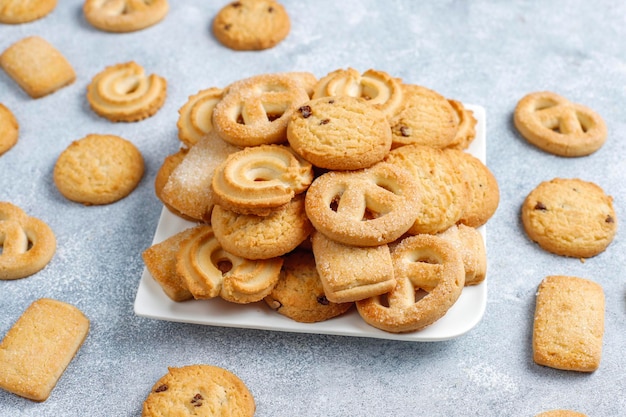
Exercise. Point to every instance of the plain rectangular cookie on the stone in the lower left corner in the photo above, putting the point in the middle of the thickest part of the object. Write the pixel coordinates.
(40, 345)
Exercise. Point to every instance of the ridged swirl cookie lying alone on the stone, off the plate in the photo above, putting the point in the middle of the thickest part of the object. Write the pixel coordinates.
(124, 93)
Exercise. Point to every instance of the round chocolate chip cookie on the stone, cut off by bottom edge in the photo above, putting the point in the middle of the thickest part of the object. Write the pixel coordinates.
(199, 390)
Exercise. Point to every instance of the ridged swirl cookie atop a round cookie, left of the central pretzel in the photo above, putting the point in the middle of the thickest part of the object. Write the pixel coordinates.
(258, 179)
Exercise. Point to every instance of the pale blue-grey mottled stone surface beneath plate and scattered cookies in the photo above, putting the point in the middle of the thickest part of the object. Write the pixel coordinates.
(489, 53)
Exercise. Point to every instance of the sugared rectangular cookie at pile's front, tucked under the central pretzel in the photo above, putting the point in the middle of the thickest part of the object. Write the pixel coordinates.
(350, 273)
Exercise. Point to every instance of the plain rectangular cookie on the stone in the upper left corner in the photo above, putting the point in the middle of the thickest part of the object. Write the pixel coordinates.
(37, 66)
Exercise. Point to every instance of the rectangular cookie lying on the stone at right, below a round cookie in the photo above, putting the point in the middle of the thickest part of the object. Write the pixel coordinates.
(569, 324)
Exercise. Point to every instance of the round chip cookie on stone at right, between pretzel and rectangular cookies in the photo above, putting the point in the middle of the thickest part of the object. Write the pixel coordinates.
(570, 217)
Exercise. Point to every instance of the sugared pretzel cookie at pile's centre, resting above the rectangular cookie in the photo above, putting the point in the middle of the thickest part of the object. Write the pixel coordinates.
(369, 207)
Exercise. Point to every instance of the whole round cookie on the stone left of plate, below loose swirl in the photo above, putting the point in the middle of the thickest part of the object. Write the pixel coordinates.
(98, 169)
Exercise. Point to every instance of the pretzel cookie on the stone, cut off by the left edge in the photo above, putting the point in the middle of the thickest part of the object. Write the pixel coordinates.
(27, 243)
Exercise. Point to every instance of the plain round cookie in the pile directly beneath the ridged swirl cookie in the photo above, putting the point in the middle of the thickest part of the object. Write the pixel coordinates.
(262, 237)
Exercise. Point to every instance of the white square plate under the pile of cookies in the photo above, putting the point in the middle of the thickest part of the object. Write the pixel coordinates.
(152, 302)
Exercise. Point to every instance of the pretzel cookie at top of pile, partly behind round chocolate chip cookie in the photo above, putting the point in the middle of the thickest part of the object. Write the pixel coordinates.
(256, 110)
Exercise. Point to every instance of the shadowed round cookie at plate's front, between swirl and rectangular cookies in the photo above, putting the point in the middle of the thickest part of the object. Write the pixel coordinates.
(299, 293)
